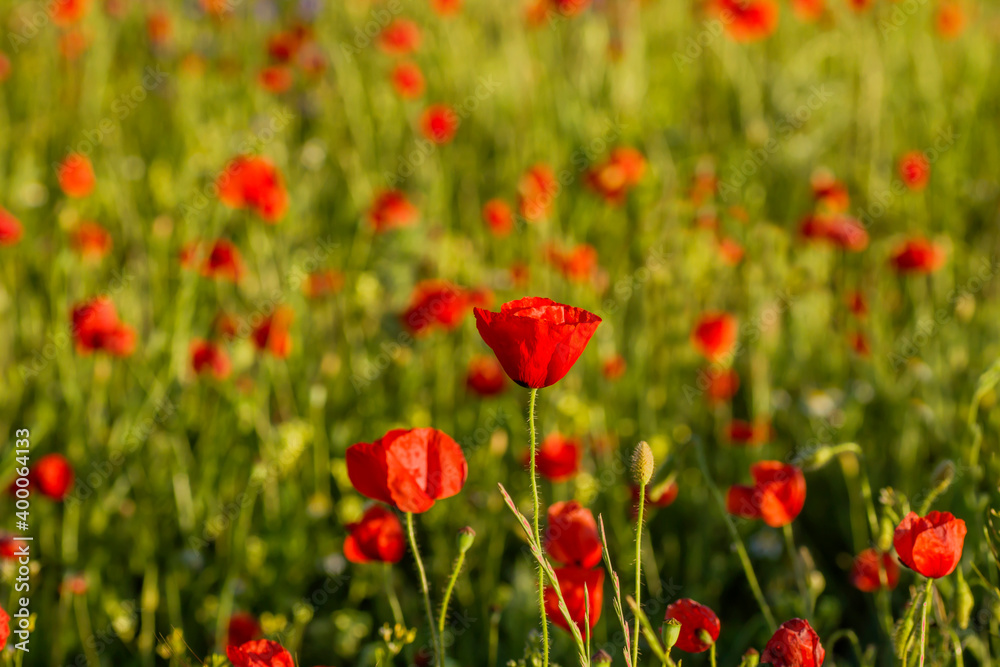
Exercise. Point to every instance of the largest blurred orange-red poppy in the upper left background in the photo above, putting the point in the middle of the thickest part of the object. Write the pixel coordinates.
(255, 183)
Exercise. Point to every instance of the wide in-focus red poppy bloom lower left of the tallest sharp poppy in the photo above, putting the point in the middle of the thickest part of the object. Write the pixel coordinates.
(408, 469)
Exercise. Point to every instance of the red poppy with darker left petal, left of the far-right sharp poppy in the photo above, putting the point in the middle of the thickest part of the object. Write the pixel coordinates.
(777, 496)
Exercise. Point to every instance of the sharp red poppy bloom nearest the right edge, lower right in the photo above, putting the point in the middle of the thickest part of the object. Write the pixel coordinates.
(931, 545)
